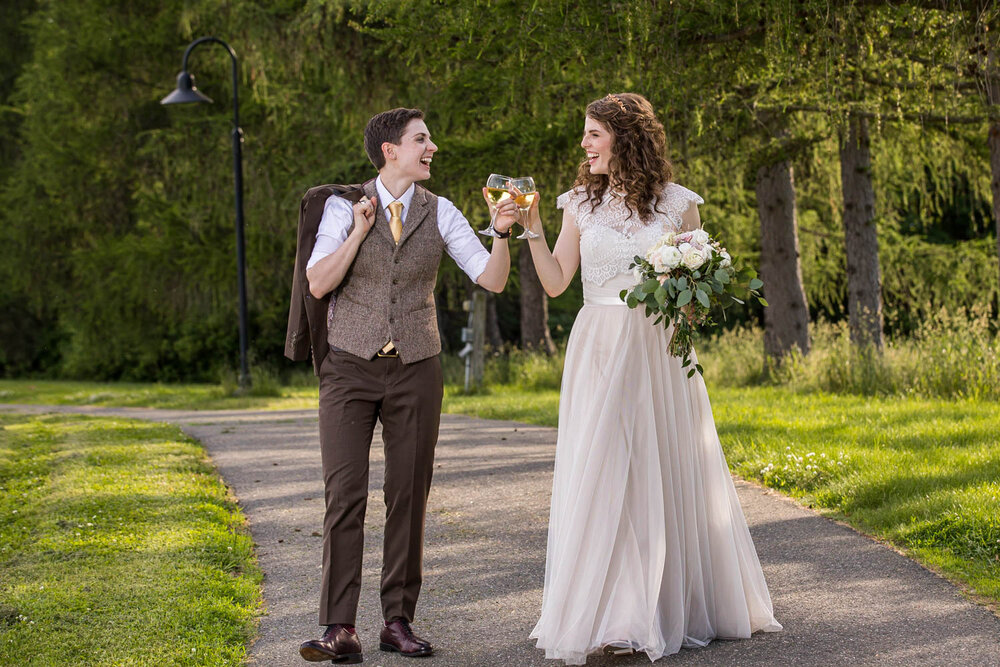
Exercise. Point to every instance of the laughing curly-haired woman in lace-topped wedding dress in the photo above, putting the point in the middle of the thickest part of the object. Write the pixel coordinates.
(648, 549)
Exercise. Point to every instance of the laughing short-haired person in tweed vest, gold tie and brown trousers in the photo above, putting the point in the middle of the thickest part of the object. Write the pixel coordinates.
(380, 257)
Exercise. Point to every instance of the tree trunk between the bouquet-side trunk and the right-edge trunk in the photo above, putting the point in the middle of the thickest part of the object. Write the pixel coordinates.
(864, 282)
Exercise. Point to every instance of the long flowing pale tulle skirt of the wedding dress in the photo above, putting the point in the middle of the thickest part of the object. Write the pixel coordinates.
(647, 543)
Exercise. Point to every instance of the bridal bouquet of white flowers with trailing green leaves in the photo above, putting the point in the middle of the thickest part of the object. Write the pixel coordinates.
(681, 278)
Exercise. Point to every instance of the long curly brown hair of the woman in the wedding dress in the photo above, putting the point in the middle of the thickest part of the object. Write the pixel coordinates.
(638, 164)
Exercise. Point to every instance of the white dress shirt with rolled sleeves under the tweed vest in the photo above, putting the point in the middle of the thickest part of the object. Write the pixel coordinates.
(459, 239)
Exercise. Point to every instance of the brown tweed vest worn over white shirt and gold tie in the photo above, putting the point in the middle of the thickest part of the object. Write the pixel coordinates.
(388, 293)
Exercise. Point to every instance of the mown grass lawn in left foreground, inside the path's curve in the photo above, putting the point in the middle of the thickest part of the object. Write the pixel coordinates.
(114, 535)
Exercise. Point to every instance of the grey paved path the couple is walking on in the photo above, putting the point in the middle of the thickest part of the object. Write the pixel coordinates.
(843, 598)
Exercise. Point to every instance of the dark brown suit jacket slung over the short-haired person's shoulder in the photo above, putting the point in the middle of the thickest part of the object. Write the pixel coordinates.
(307, 314)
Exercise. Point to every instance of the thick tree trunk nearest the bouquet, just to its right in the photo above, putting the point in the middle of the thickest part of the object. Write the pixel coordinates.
(786, 319)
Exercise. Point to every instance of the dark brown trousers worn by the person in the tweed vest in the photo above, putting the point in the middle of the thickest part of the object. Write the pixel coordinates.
(406, 398)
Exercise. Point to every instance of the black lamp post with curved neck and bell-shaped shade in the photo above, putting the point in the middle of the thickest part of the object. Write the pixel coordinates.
(186, 93)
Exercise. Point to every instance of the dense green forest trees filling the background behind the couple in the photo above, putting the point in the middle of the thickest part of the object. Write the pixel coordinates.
(847, 148)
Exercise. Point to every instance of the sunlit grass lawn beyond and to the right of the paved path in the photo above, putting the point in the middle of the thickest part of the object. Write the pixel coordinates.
(922, 474)
